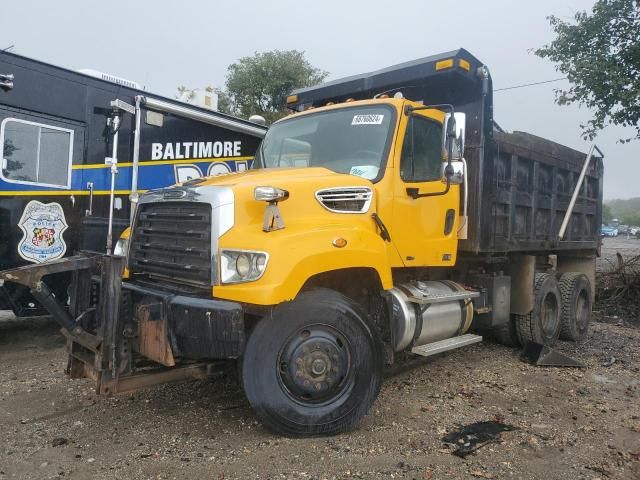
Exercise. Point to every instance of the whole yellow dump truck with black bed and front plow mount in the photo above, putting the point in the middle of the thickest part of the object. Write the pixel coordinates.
(388, 214)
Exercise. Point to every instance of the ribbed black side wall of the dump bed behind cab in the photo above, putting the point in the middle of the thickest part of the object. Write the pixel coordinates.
(519, 195)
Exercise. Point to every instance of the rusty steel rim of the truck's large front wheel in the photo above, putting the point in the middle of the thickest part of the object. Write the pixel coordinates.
(314, 365)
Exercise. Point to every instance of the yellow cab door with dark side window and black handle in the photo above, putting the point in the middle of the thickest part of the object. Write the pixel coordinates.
(425, 213)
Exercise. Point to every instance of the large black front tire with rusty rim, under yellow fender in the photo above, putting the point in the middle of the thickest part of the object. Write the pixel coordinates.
(314, 367)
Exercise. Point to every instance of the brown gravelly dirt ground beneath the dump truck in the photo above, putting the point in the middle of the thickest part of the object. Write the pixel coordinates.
(571, 423)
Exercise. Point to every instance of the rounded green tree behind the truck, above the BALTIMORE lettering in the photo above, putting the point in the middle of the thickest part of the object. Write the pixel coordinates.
(260, 84)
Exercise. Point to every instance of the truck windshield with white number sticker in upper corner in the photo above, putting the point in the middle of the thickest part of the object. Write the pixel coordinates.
(350, 140)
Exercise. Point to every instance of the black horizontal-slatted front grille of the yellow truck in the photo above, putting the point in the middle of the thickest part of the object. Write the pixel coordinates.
(173, 240)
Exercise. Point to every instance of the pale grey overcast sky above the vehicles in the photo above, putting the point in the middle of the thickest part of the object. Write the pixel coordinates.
(163, 44)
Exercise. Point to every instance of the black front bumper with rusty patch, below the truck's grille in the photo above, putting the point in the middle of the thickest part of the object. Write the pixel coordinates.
(193, 328)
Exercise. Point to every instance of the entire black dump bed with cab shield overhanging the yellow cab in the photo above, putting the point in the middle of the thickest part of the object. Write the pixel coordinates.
(520, 185)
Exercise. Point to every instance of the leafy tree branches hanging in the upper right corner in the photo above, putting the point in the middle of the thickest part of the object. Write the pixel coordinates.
(600, 55)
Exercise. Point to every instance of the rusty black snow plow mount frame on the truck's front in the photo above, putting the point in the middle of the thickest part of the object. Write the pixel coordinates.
(100, 338)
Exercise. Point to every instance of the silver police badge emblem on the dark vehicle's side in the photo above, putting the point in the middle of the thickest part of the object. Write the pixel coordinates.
(42, 226)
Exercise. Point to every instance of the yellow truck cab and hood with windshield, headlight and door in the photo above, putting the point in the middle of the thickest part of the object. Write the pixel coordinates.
(336, 179)
